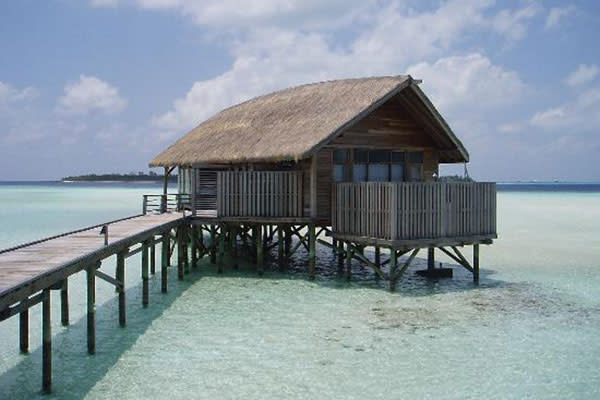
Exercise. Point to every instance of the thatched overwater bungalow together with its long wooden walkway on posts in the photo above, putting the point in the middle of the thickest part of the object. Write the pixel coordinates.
(355, 160)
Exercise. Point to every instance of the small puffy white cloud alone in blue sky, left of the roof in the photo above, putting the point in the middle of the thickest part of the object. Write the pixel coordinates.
(90, 94)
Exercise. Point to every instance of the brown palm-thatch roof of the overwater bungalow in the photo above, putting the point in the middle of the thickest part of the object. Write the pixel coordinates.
(294, 123)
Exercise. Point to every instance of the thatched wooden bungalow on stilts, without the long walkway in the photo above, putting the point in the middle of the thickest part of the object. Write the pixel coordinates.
(355, 159)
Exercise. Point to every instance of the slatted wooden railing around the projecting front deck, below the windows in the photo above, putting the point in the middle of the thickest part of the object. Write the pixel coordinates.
(406, 211)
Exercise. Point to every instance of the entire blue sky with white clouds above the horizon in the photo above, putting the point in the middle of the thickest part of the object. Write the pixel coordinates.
(104, 85)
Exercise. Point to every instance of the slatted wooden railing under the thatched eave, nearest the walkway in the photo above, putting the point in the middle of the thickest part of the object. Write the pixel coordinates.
(259, 194)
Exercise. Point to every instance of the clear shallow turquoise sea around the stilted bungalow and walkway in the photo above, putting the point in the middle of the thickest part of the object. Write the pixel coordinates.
(529, 330)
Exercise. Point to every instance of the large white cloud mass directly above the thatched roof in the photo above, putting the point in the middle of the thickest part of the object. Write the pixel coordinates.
(268, 59)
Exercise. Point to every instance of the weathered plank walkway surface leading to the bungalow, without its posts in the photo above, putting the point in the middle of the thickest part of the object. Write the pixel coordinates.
(28, 269)
